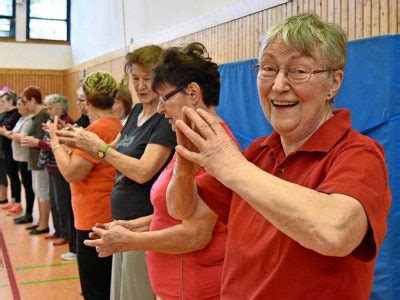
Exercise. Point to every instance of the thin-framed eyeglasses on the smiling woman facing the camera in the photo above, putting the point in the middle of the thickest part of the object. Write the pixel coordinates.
(294, 74)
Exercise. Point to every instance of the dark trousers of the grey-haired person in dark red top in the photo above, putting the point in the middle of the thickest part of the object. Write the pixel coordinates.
(60, 201)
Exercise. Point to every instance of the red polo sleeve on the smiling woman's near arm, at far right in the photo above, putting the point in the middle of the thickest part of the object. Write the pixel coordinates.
(361, 173)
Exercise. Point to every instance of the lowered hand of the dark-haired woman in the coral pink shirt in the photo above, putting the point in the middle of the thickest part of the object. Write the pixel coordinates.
(110, 240)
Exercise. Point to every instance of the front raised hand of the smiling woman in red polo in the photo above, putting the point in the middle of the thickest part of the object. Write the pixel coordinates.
(217, 152)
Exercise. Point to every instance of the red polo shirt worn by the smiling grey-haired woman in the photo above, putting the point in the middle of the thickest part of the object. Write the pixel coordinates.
(262, 262)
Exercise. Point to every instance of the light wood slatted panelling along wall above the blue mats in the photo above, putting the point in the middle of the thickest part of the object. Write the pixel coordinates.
(238, 40)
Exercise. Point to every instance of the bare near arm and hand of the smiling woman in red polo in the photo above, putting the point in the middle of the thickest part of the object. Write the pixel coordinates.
(332, 224)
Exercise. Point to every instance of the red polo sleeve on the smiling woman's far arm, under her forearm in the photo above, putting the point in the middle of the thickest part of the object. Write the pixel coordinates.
(215, 195)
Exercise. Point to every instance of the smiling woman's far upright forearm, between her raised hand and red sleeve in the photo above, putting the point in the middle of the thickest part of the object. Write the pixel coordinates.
(182, 197)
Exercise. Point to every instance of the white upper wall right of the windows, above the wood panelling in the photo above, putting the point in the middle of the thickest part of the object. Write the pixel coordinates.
(98, 25)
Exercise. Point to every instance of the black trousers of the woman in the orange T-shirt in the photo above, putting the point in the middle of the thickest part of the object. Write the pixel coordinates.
(94, 272)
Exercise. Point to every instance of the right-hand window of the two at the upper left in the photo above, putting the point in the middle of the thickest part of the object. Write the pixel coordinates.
(48, 19)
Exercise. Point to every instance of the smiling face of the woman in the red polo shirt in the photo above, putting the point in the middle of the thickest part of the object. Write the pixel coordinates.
(295, 111)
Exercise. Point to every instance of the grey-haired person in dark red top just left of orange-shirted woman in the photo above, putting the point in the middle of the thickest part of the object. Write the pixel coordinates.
(60, 194)
